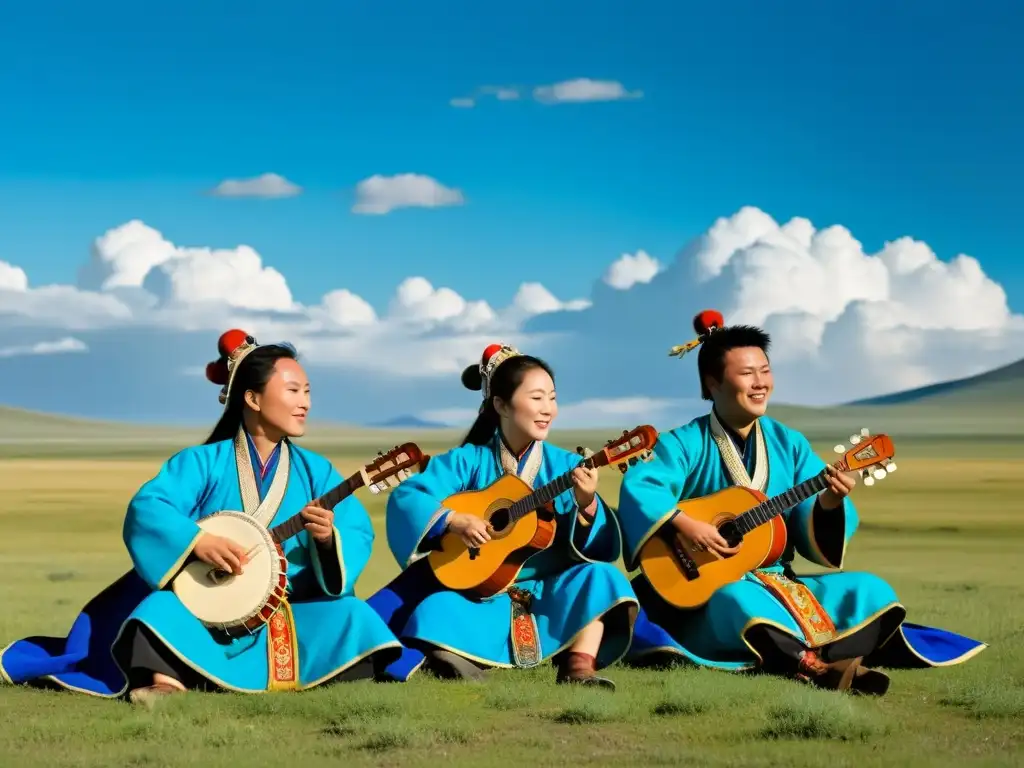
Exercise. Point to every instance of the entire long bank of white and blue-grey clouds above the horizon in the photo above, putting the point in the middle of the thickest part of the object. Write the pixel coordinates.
(845, 324)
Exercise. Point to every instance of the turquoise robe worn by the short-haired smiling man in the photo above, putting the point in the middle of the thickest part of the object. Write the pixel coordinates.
(702, 458)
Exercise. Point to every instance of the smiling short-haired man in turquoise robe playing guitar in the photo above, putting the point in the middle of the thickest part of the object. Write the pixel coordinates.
(828, 629)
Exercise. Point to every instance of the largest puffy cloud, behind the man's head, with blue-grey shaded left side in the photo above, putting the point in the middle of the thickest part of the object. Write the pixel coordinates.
(846, 324)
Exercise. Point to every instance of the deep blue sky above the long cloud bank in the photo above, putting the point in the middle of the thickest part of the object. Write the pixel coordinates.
(889, 119)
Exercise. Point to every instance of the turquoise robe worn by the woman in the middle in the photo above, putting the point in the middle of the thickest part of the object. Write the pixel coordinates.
(573, 582)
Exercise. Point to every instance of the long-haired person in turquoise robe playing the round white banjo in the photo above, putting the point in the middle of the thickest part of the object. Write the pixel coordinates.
(138, 636)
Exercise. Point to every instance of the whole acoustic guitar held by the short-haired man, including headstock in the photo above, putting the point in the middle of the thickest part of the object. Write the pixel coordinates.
(688, 578)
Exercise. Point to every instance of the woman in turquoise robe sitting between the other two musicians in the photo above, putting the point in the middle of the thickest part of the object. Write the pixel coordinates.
(570, 604)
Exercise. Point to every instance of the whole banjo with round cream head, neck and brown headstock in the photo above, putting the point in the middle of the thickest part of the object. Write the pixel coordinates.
(241, 605)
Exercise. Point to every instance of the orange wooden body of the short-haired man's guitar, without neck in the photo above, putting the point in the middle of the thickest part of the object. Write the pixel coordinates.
(663, 558)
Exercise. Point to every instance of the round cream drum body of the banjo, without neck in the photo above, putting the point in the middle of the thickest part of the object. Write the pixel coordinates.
(238, 605)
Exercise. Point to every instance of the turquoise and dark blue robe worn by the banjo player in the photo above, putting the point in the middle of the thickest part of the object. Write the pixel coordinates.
(334, 630)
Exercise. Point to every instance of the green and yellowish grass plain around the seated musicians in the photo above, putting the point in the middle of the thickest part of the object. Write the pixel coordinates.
(946, 531)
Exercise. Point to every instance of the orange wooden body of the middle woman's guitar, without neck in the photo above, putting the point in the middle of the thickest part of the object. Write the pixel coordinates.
(493, 568)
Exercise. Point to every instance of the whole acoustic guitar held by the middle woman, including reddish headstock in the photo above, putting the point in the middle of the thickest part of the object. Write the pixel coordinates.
(522, 522)
